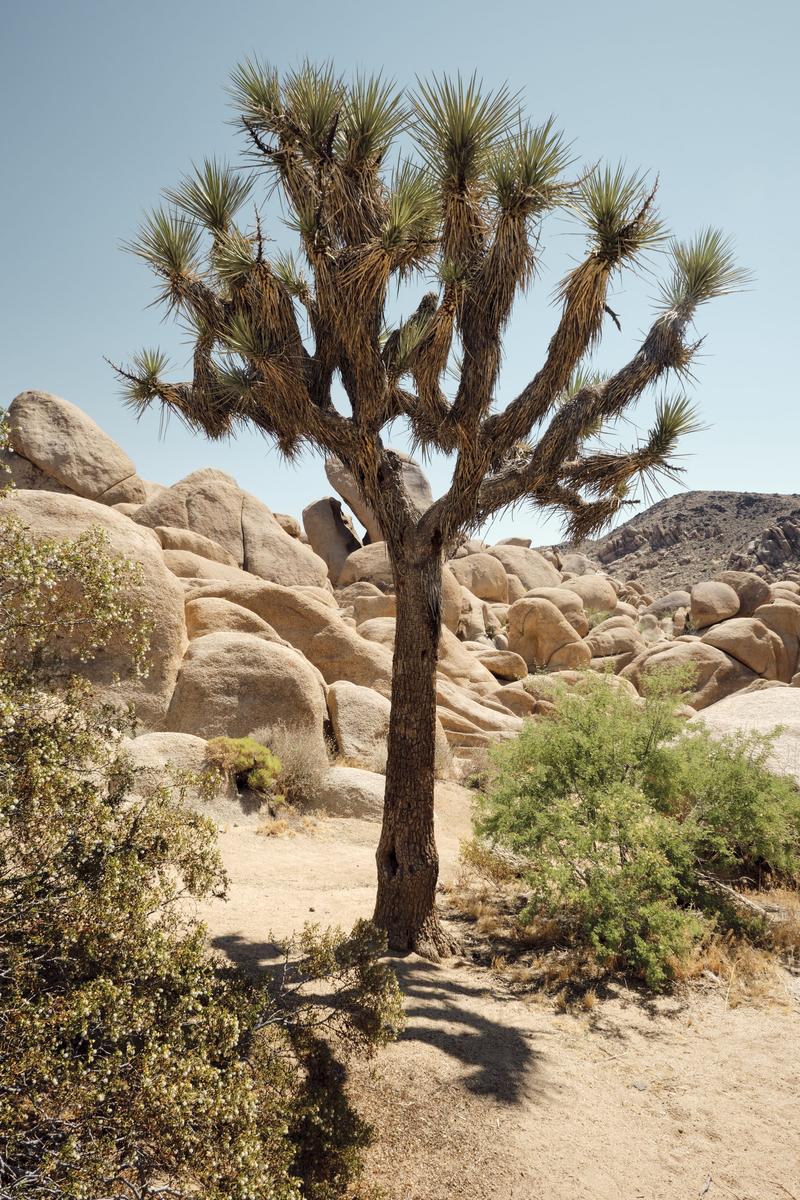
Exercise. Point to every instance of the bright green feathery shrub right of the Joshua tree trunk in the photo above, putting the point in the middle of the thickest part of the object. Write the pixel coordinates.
(629, 826)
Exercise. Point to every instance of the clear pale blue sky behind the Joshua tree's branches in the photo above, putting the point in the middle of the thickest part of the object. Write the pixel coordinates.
(105, 104)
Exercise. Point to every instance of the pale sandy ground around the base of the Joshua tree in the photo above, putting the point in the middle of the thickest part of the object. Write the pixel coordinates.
(492, 1096)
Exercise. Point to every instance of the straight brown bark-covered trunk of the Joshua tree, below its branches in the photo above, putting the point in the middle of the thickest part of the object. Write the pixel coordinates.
(408, 863)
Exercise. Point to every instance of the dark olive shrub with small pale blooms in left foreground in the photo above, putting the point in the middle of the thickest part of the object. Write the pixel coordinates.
(134, 1064)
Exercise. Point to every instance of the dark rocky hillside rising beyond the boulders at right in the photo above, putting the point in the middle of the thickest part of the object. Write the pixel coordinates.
(687, 538)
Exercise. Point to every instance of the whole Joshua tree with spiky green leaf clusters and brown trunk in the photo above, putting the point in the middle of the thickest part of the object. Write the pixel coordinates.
(461, 208)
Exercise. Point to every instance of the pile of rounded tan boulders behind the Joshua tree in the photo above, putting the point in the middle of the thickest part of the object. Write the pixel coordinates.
(263, 625)
